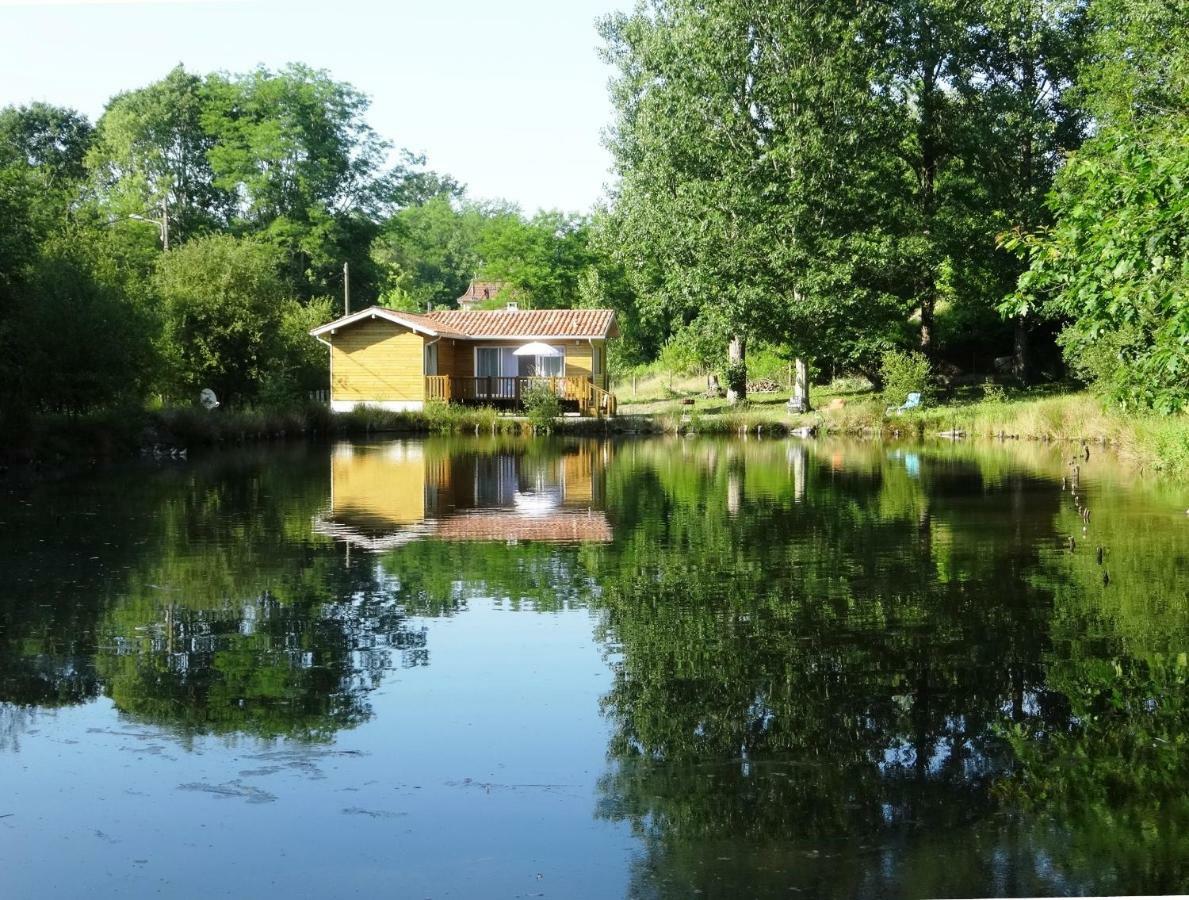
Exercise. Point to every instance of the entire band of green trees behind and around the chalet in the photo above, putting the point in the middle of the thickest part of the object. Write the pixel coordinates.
(978, 181)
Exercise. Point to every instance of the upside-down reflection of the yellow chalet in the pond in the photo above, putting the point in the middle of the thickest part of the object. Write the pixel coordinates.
(383, 496)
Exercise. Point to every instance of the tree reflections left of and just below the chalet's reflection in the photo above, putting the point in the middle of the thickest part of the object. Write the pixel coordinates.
(200, 599)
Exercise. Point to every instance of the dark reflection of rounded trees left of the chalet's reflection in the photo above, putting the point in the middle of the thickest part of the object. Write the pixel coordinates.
(224, 614)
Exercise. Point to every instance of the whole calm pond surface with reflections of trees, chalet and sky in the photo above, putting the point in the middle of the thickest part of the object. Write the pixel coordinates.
(653, 669)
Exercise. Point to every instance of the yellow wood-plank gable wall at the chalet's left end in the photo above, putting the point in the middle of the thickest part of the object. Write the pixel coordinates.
(378, 361)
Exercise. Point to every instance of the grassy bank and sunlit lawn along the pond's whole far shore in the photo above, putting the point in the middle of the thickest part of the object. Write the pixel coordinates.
(844, 407)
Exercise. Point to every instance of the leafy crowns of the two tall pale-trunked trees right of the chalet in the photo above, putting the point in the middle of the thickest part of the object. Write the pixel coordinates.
(757, 168)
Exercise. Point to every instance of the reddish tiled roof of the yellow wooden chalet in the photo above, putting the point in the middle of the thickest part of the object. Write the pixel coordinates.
(494, 324)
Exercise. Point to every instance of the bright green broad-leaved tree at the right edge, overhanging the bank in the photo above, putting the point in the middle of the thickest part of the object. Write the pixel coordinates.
(1115, 266)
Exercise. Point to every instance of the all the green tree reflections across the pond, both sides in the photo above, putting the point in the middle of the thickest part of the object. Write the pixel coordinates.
(832, 674)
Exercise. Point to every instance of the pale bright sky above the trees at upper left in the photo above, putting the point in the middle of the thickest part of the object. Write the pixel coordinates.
(509, 97)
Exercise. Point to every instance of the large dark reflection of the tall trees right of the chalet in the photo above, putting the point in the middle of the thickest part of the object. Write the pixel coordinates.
(816, 693)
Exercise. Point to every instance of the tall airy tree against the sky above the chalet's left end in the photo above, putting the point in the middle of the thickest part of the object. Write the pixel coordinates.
(309, 172)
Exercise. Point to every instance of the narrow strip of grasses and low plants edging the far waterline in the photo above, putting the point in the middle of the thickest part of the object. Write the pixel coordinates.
(1148, 442)
